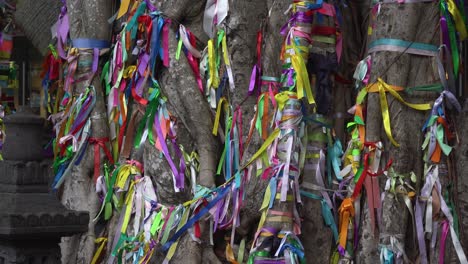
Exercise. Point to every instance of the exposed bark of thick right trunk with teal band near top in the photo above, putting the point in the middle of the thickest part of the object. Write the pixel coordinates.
(410, 23)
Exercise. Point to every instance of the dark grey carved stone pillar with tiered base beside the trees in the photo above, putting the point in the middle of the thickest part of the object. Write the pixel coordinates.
(32, 220)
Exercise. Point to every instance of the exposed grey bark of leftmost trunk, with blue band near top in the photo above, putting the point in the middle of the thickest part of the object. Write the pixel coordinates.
(88, 19)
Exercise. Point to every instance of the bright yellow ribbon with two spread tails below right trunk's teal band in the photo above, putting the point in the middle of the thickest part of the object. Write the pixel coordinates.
(382, 89)
